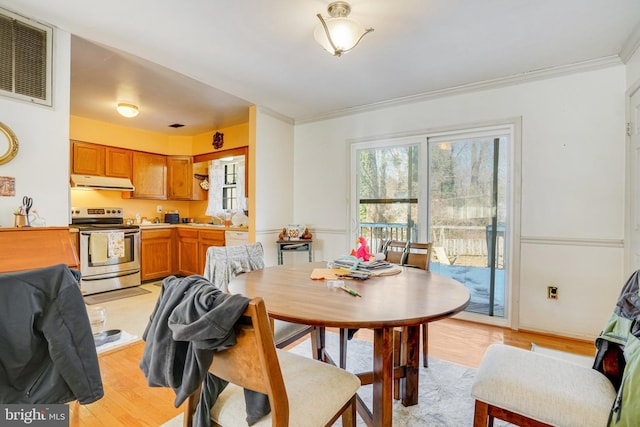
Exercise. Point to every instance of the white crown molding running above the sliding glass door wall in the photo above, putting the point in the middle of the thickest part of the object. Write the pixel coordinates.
(529, 76)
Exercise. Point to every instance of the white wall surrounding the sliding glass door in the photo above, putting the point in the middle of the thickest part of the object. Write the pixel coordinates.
(572, 201)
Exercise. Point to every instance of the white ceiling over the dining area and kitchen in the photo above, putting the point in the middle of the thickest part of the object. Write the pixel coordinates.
(202, 62)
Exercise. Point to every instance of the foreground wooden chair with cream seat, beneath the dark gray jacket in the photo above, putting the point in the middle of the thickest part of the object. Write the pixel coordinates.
(301, 391)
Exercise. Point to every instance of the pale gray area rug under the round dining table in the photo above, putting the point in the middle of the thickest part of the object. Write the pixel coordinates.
(444, 398)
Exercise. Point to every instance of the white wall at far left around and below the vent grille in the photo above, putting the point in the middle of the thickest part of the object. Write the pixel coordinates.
(41, 168)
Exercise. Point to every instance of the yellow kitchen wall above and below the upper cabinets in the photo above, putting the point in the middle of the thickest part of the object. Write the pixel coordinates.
(98, 132)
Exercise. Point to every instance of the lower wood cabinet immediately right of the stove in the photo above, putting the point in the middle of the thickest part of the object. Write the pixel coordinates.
(156, 247)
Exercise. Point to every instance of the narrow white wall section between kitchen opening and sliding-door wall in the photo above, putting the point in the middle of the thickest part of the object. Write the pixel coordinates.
(274, 179)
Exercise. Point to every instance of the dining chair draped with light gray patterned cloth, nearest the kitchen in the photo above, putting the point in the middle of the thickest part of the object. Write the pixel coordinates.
(223, 263)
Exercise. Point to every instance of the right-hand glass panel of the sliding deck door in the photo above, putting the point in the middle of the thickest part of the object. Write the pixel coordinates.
(468, 213)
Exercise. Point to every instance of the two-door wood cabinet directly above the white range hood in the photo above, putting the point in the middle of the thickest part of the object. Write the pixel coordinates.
(100, 160)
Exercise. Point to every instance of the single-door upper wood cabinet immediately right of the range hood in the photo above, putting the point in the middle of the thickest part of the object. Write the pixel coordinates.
(149, 176)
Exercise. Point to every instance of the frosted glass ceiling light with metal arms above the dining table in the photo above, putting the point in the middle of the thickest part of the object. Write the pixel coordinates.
(338, 34)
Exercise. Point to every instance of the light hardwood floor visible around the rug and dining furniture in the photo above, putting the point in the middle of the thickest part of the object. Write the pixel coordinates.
(128, 401)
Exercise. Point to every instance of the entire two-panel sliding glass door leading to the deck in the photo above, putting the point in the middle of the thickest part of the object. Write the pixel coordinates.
(449, 189)
